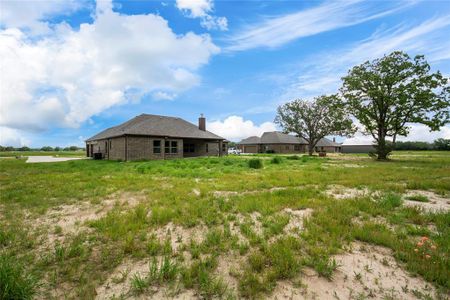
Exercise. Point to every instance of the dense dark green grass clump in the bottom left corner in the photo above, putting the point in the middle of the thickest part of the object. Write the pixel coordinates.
(15, 283)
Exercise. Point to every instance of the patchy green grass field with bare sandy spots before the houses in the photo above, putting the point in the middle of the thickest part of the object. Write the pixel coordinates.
(266, 226)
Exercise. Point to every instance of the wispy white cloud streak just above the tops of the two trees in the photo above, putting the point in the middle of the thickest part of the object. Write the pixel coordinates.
(321, 73)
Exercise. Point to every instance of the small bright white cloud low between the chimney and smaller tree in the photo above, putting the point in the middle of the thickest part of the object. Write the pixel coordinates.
(235, 128)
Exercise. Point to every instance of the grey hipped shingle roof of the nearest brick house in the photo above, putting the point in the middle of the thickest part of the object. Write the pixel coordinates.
(154, 125)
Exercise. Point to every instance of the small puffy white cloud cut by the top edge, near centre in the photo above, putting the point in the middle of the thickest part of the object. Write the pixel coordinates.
(202, 9)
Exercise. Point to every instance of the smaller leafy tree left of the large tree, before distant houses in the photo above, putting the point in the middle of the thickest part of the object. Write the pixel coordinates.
(313, 120)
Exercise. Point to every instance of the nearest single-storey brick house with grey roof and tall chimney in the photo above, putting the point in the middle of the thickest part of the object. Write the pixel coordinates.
(156, 137)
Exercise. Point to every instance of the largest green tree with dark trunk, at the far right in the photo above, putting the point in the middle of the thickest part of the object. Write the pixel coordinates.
(388, 93)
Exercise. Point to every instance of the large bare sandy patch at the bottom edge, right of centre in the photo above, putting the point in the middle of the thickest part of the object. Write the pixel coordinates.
(366, 272)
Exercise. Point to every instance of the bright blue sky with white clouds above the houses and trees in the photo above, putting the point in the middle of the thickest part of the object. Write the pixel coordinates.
(71, 68)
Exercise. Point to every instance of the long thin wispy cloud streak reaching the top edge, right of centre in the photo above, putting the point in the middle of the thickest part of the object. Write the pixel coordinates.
(276, 31)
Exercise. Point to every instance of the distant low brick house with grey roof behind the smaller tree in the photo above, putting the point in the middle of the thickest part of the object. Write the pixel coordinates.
(279, 142)
